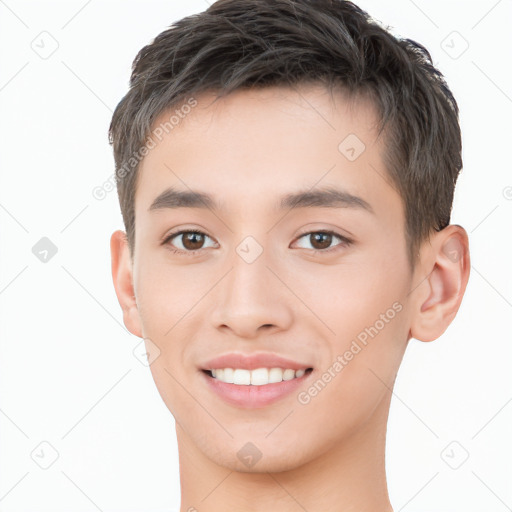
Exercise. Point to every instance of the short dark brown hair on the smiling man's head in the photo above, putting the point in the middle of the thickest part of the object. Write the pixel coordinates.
(237, 44)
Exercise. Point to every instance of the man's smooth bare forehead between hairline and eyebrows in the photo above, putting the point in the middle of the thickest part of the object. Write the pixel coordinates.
(252, 147)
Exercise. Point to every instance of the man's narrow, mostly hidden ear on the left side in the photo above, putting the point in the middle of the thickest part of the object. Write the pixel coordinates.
(122, 275)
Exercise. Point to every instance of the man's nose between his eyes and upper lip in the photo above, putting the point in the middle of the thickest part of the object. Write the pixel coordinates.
(251, 301)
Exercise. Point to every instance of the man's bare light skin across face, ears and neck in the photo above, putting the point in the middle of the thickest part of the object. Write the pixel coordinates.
(247, 150)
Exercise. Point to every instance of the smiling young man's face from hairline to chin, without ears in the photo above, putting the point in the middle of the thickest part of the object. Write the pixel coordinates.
(264, 279)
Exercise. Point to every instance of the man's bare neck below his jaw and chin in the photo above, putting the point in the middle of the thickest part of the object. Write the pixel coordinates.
(348, 477)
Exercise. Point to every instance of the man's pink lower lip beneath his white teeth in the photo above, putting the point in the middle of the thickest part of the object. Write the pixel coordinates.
(253, 397)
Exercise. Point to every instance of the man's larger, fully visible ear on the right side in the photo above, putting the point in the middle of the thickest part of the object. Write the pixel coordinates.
(439, 295)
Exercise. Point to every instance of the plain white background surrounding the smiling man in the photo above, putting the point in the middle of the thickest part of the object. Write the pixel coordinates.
(68, 376)
